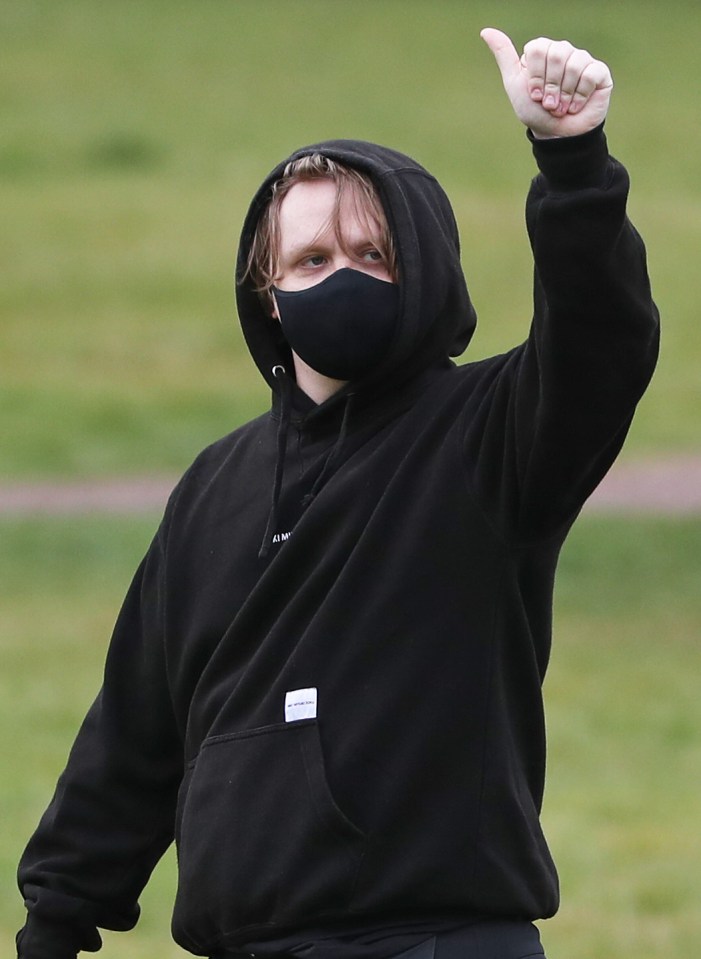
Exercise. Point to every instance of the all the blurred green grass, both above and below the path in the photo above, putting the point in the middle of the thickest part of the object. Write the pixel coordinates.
(132, 136)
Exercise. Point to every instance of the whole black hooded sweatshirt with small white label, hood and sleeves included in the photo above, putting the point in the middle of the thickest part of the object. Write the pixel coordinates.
(325, 681)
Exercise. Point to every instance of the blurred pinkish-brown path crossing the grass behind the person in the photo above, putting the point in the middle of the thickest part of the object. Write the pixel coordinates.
(670, 486)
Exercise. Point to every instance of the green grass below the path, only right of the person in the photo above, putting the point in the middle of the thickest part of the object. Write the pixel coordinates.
(625, 747)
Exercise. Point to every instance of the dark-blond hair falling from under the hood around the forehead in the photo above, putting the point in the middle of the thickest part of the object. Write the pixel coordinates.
(263, 258)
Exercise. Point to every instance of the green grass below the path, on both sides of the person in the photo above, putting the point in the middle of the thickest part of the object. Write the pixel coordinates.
(624, 717)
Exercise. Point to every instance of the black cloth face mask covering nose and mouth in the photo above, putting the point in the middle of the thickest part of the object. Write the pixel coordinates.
(343, 326)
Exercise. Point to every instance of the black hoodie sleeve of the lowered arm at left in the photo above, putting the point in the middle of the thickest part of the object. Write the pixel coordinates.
(112, 814)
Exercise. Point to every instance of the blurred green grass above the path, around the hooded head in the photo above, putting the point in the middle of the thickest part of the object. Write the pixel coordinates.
(134, 133)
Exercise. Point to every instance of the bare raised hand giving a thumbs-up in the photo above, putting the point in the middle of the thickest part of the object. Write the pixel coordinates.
(554, 88)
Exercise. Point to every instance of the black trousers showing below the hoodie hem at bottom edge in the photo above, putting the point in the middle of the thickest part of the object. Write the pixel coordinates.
(483, 940)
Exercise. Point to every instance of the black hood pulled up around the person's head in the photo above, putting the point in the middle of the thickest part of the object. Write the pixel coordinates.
(436, 317)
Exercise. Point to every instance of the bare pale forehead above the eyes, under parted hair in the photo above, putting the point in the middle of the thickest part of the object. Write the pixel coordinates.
(313, 208)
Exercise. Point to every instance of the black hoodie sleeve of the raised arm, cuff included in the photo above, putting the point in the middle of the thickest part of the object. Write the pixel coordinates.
(565, 399)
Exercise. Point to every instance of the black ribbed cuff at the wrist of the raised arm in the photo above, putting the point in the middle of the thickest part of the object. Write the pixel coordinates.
(573, 163)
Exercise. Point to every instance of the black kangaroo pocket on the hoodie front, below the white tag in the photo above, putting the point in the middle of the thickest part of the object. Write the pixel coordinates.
(261, 839)
